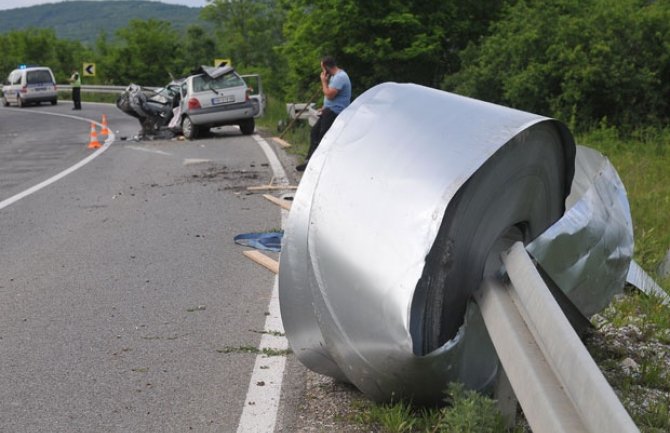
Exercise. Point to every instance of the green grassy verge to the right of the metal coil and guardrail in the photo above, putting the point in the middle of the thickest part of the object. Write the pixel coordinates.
(643, 163)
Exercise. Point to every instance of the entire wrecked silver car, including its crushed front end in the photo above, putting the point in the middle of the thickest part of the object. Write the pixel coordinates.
(210, 97)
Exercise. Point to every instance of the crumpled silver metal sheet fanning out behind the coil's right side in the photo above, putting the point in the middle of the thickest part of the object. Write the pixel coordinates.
(588, 252)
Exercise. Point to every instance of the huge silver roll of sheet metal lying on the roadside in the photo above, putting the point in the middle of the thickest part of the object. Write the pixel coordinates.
(402, 211)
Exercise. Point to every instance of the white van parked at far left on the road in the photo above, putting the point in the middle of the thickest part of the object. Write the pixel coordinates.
(30, 86)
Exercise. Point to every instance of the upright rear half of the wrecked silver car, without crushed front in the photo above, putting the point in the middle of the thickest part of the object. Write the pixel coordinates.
(216, 97)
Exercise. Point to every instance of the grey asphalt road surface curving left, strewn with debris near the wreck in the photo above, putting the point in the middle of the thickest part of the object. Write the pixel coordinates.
(121, 290)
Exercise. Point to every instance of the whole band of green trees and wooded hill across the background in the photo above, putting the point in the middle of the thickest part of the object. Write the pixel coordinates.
(586, 62)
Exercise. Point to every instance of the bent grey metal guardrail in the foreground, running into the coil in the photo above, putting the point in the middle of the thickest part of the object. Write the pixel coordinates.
(557, 383)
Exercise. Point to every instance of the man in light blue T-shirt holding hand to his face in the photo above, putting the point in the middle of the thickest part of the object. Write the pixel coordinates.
(336, 89)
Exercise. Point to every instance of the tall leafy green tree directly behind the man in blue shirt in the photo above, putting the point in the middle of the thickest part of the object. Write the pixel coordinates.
(385, 40)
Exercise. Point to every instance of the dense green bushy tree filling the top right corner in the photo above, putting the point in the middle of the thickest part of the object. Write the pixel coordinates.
(586, 60)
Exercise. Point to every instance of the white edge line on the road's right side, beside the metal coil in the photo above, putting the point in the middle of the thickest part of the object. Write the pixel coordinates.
(261, 404)
